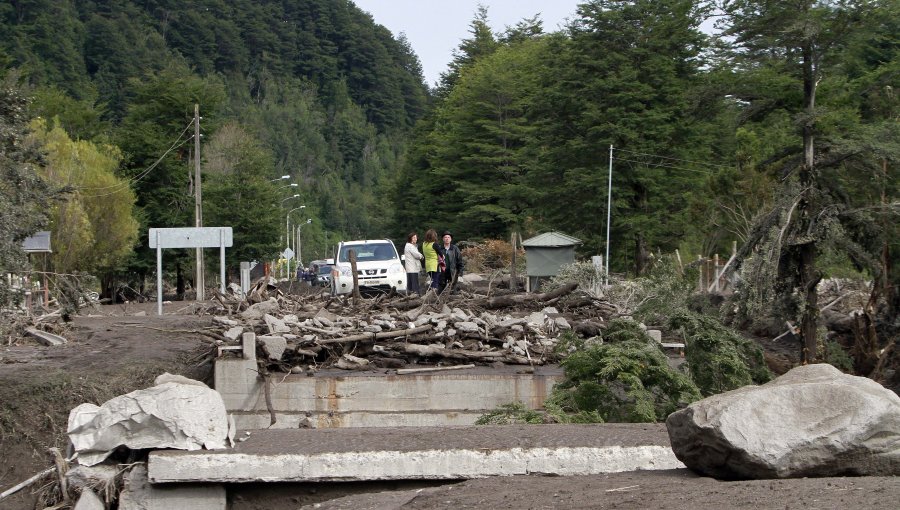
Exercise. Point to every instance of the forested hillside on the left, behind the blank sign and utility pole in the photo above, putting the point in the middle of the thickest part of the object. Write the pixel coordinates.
(314, 90)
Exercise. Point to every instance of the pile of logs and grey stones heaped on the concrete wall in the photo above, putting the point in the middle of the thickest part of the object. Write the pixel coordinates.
(306, 332)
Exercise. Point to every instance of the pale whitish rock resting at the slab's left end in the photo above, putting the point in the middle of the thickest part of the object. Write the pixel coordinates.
(169, 415)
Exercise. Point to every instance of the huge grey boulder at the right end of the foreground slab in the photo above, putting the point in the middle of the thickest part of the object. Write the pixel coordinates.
(812, 421)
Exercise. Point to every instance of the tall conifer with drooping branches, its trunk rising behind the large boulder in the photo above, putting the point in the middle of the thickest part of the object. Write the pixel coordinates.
(801, 42)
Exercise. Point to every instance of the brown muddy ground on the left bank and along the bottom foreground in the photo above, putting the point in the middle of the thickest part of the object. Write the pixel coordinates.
(115, 351)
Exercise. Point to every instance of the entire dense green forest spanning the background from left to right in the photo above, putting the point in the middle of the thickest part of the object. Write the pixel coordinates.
(778, 132)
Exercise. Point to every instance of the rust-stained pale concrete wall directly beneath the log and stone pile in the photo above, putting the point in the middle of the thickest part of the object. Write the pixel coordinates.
(340, 398)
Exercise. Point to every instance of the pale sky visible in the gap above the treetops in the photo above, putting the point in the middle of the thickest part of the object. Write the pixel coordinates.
(435, 28)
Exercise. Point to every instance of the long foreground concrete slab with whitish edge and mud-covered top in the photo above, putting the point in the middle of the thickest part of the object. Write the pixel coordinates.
(412, 453)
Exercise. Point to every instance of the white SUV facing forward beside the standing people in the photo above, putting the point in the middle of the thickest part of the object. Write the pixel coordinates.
(378, 267)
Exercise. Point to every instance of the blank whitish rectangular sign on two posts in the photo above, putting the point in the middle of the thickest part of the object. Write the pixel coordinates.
(197, 237)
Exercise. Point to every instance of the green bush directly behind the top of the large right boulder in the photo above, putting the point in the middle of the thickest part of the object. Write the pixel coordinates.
(718, 358)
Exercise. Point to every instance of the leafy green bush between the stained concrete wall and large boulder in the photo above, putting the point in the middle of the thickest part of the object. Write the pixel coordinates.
(627, 380)
